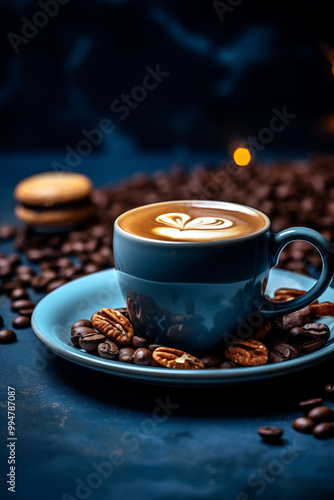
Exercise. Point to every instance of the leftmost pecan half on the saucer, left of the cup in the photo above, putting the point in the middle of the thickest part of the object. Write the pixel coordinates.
(113, 325)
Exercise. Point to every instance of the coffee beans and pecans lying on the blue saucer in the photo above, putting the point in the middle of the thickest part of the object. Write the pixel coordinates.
(111, 334)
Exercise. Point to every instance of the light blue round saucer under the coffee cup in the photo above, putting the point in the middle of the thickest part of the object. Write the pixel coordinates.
(55, 314)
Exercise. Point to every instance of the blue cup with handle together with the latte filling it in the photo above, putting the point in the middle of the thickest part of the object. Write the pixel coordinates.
(193, 271)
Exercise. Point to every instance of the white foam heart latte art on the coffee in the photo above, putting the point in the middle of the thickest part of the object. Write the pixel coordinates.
(184, 222)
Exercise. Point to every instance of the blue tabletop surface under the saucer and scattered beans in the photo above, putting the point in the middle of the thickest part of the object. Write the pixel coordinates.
(84, 434)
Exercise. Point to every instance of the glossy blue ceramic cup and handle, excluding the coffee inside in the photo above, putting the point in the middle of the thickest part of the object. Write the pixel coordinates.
(193, 294)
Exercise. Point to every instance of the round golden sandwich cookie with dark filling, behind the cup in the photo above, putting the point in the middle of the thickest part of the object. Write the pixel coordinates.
(54, 199)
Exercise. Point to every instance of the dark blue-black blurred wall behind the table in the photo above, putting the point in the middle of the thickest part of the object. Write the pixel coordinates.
(225, 75)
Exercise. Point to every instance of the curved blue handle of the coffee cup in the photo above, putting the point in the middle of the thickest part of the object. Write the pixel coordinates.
(278, 242)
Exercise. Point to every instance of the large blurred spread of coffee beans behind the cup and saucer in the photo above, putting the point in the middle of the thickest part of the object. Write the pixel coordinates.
(290, 193)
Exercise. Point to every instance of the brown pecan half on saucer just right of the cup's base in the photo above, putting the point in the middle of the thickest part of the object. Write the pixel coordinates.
(248, 352)
